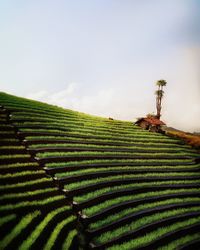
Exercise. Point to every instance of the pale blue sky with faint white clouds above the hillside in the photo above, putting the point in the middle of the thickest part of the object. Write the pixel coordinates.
(103, 57)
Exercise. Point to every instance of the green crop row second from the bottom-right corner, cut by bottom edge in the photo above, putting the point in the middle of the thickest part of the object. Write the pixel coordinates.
(147, 238)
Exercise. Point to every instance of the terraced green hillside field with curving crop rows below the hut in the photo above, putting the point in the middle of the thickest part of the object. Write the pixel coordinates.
(71, 180)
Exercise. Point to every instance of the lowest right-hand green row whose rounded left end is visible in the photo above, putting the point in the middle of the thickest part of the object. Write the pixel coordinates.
(142, 222)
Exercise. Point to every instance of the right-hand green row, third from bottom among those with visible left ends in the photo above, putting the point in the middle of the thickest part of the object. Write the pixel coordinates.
(110, 202)
